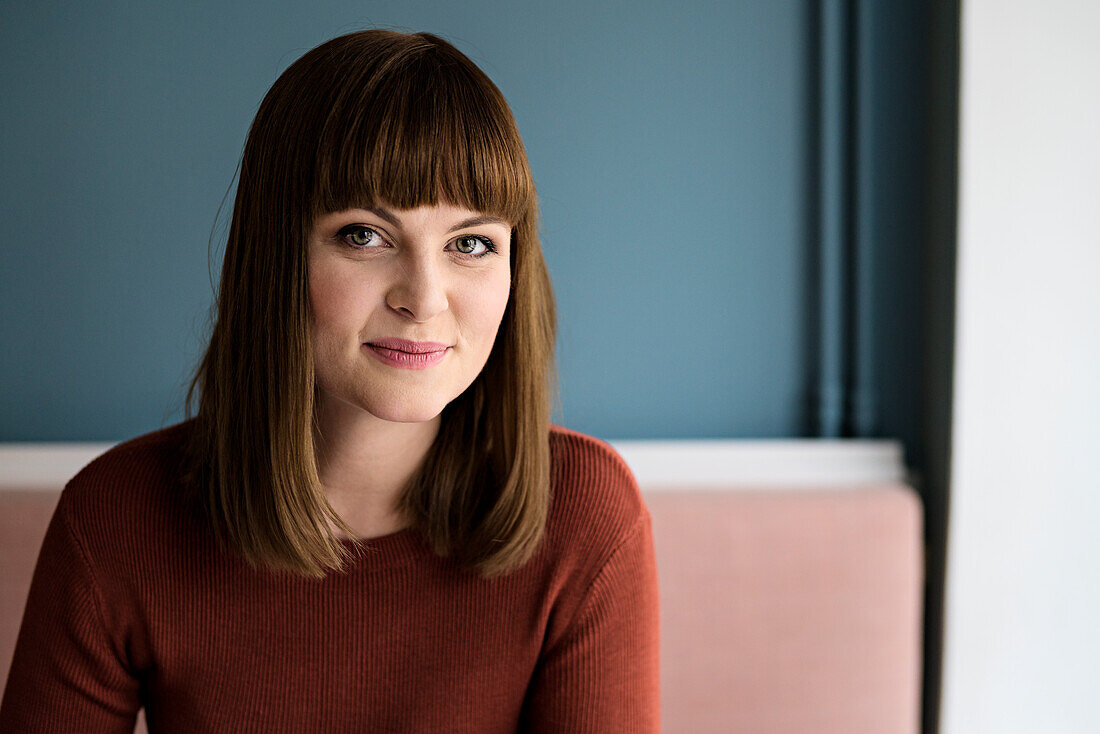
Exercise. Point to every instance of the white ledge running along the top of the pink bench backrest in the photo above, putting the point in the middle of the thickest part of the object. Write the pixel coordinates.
(702, 464)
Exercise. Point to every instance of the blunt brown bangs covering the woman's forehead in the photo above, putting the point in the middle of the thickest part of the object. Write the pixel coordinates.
(422, 129)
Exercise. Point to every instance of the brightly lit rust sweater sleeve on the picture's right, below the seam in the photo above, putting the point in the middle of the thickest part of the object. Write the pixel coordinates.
(603, 675)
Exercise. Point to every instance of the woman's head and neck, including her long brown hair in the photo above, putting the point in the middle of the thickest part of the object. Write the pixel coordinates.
(365, 158)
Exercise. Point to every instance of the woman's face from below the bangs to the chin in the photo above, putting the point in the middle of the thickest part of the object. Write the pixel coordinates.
(425, 275)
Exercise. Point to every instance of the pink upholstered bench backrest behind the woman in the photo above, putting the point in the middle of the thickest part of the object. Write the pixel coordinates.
(783, 611)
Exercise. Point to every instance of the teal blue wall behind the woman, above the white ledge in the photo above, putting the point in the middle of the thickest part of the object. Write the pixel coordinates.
(676, 148)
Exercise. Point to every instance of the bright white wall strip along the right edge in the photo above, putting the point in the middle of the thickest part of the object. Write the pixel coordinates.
(1022, 630)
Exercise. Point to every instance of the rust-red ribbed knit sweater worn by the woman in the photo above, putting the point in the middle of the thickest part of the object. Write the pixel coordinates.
(134, 606)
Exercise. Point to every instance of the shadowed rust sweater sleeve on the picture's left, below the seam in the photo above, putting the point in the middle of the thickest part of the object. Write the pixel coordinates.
(68, 673)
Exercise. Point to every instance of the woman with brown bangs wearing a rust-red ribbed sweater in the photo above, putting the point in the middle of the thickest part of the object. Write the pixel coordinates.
(349, 536)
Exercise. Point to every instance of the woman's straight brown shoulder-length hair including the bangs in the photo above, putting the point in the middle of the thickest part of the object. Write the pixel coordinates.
(368, 118)
